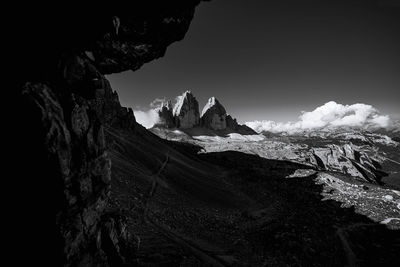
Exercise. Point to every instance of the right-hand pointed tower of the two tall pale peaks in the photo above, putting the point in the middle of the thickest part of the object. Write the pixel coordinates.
(213, 115)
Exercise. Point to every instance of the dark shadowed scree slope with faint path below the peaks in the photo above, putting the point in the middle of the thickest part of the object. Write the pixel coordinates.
(230, 208)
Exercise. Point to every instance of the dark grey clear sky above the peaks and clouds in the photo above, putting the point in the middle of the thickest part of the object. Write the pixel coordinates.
(271, 60)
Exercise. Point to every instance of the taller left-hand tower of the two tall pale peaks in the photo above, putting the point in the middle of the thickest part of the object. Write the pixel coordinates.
(186, 111)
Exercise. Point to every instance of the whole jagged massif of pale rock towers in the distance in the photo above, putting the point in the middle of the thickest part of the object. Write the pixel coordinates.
(185, 116)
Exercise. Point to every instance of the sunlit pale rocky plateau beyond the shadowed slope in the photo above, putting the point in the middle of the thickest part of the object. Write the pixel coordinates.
(353, 174)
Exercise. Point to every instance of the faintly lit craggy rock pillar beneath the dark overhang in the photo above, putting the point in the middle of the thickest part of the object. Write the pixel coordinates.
(76, 157)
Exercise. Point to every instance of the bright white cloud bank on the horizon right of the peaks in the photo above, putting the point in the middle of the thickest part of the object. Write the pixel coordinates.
(329, 115)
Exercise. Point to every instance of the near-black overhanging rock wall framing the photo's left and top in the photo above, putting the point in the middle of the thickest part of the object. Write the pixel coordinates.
(66, 103)
